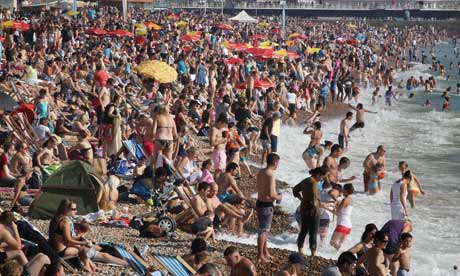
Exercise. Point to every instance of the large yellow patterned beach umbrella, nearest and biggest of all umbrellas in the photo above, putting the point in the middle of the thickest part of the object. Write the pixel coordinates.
(157, 70)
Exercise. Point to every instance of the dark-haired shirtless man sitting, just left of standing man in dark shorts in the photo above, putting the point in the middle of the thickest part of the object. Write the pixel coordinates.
(228, 188)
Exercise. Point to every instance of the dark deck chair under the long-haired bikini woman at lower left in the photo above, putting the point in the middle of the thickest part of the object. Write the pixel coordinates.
(33, 236)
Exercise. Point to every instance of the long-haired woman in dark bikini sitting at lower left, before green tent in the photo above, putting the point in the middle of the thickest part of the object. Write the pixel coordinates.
(62, 235)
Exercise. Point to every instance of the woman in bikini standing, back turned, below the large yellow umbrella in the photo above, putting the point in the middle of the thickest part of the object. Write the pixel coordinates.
(165, 132)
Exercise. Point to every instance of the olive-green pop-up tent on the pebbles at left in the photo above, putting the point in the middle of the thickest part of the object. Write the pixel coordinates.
(76, 181)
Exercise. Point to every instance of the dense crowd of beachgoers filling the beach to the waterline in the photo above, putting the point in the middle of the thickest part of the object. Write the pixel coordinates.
(226, 108)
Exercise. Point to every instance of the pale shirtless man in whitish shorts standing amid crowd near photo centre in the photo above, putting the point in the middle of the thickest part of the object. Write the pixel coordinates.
(218, 141)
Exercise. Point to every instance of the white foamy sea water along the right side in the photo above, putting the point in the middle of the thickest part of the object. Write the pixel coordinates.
(427, 138)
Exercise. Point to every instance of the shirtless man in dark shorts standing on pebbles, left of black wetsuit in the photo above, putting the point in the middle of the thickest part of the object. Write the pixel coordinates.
(266, 188)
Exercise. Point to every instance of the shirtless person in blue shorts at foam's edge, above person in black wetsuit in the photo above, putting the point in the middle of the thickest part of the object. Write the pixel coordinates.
(312, 155)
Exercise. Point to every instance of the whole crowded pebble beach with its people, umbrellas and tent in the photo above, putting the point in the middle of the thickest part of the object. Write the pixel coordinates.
(132, 143)
